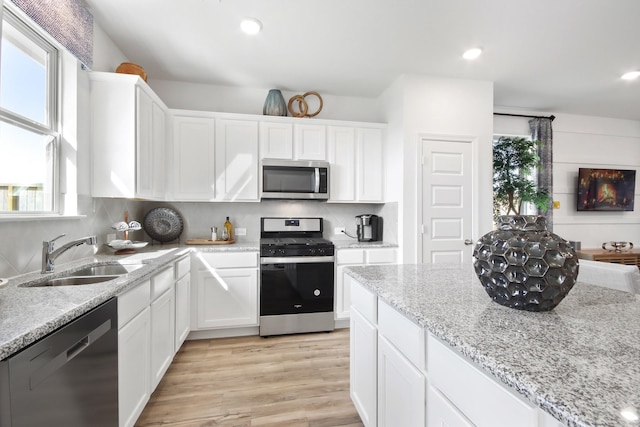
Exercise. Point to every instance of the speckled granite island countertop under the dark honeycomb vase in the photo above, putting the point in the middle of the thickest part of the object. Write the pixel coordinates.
(579, 362)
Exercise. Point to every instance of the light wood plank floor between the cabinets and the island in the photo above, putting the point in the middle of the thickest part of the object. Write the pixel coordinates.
(286, 381)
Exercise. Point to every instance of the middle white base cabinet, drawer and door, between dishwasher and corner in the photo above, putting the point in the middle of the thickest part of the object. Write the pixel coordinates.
(162, 324)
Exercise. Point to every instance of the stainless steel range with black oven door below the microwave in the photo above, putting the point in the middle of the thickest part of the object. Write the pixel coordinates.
(296, 277)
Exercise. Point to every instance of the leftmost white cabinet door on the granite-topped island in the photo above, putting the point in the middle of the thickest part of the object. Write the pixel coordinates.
(363, 362)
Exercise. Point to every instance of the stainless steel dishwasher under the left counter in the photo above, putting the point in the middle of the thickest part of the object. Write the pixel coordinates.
(69, 378)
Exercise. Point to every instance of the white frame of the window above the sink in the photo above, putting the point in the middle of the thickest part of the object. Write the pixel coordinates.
(53, 124)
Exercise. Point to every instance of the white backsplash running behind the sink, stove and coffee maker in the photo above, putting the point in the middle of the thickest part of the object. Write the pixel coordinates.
(21, 242)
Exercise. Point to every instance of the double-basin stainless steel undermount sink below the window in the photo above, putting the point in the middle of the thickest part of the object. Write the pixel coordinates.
(90, 274)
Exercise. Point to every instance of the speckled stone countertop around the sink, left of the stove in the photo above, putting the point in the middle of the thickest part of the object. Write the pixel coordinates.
(29, 313)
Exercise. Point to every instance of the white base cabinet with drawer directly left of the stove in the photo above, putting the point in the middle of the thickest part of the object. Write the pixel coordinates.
(226, 290)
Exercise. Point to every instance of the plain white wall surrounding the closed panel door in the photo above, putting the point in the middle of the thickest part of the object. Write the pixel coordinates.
(438, 106)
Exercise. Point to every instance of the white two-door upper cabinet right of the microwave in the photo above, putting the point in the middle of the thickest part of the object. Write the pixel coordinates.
(356, 154)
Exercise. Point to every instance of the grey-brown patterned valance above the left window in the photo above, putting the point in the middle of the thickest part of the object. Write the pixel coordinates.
(68, 21)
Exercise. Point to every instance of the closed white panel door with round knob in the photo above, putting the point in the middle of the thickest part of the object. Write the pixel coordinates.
(446, 189)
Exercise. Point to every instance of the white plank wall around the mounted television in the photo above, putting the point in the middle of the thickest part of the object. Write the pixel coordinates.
(593, 142)
